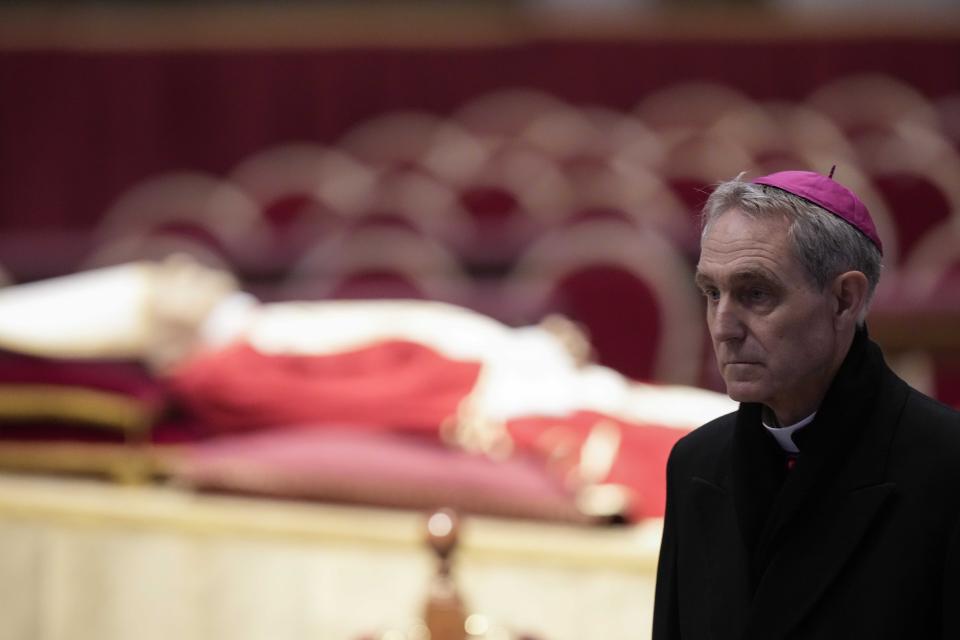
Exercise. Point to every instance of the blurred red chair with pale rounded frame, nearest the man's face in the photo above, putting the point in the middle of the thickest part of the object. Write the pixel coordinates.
(628, 287)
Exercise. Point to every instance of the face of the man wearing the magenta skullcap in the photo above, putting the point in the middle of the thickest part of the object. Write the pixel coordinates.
(773, 332)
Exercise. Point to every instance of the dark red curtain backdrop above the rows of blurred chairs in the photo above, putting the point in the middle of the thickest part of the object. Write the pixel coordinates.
(78, 127)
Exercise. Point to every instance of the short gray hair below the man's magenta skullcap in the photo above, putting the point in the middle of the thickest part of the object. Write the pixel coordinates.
(824, 243)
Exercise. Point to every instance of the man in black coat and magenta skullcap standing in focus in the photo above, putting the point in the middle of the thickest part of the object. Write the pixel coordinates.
(828, 505)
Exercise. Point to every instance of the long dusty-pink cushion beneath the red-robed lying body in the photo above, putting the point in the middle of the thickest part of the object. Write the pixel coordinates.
(385, 469)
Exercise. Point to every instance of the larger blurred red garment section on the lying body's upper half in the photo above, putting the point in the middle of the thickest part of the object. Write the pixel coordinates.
(388, 385)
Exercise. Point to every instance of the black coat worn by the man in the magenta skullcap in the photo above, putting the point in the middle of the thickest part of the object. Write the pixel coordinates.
(861, 539)
